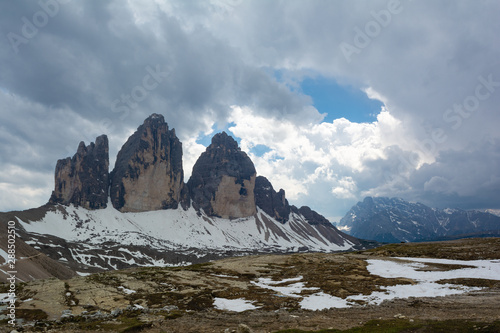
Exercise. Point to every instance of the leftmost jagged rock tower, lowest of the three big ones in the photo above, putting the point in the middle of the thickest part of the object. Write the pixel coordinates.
(83, 179)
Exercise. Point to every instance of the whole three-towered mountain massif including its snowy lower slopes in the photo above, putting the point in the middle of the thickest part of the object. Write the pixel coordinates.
(142, 213)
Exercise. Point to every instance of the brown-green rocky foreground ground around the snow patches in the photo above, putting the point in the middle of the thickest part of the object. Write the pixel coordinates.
(183, 299)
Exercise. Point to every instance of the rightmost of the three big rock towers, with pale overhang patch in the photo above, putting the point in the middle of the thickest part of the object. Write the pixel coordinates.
(223, 180)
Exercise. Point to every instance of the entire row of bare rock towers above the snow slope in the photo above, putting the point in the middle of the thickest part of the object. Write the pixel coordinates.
(148, 175)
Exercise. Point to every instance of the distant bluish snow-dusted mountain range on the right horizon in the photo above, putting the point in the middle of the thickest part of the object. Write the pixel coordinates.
(396, 220)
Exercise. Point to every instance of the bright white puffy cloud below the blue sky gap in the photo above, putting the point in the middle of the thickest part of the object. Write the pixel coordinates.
(324, 163)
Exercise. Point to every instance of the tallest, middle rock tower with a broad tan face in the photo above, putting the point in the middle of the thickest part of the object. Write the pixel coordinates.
(148, 174)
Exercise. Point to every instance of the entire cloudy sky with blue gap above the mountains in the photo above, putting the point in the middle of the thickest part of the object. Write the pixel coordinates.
(332, 100)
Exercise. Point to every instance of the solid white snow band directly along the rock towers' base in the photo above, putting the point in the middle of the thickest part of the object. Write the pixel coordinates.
(177, 228)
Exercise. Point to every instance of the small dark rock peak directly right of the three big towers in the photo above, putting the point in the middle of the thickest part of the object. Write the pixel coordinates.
(272, 202)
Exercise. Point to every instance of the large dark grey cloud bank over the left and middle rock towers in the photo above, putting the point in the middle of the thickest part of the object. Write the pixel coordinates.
(74, 70)
